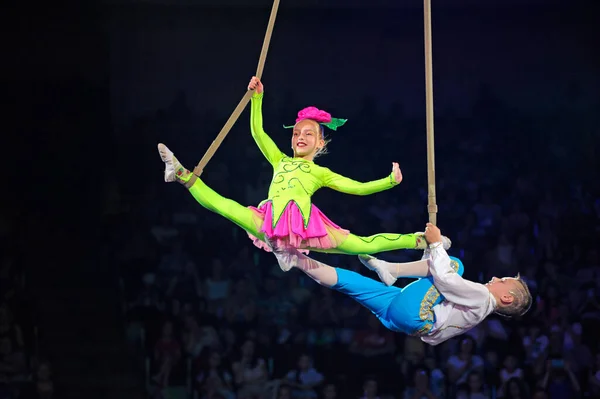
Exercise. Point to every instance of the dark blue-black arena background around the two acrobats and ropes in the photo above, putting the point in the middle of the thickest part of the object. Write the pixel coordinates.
(91, 88)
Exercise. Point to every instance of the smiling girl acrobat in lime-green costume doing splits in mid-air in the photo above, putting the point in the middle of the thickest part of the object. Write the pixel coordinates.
(287, 218)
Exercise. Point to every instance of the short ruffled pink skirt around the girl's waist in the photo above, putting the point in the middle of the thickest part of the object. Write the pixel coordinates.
(290, 230)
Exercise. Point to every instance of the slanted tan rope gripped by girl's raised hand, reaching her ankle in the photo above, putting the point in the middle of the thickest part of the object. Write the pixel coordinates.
(245, 99)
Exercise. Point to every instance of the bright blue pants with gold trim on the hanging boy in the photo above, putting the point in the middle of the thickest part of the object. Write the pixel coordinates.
(407, 310)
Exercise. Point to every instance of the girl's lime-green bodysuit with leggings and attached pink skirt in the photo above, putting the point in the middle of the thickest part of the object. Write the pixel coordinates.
(288, 217)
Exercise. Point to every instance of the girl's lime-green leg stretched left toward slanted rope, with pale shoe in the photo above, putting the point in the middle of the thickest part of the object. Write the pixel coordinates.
(207, 197)
